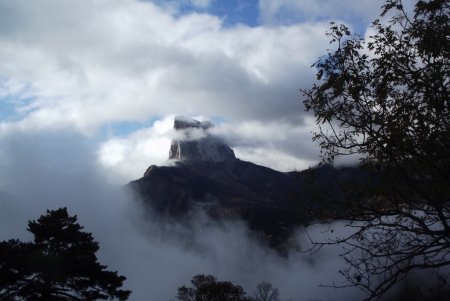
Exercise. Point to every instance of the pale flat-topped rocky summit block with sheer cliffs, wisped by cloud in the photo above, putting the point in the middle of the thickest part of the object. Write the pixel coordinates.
(197, 143)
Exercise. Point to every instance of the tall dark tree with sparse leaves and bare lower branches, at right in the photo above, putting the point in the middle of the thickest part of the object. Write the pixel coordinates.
(386, 100)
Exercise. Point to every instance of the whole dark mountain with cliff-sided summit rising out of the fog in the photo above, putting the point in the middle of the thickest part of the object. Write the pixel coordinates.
(206, 175)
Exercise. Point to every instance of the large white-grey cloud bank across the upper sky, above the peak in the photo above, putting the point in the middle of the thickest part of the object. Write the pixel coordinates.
(84, 65)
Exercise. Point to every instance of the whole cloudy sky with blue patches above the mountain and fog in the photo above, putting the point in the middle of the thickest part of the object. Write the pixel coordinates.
(117, 72)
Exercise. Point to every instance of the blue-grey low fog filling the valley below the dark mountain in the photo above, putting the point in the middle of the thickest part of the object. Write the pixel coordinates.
(41, 172)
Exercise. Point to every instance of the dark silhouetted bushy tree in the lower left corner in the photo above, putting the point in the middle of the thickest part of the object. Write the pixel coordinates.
(60, 264)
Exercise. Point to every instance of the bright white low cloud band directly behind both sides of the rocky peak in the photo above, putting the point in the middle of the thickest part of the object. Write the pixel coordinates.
(273, 144)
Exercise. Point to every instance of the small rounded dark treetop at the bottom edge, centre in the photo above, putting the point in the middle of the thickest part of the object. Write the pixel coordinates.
(208, 288)
